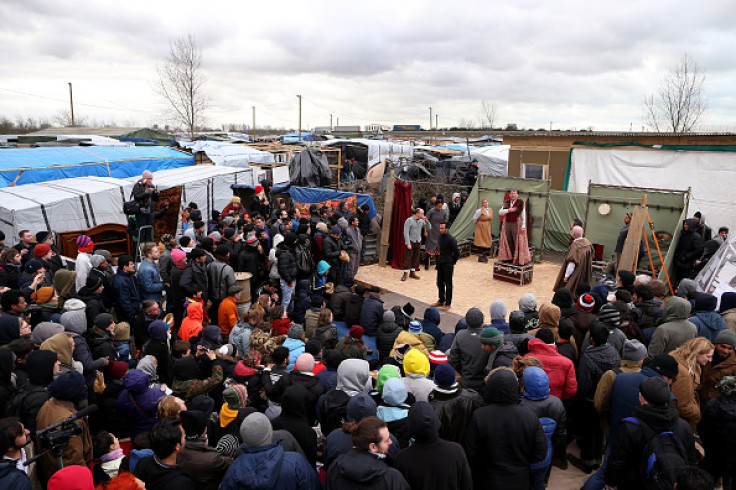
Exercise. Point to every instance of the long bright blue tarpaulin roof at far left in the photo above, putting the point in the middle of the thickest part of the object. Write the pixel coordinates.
(31, 165)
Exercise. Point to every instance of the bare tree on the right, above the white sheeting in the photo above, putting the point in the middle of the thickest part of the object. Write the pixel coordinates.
(679, 102)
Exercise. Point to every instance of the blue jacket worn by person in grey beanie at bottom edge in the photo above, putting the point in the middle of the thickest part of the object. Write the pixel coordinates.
(270, 467)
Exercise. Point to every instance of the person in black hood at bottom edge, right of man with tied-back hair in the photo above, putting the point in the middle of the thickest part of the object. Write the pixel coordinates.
(432, 463)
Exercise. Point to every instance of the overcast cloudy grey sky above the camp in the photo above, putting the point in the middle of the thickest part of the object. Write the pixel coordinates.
(575, 64)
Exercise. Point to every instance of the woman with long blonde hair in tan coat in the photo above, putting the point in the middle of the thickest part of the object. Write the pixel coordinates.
(691, 357)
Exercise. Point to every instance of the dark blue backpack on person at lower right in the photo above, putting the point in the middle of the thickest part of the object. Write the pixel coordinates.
(664, 457)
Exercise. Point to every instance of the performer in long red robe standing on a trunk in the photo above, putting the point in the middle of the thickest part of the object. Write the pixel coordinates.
(514, 243)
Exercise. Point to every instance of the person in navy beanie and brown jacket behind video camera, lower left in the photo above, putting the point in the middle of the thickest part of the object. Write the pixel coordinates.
(65, 392)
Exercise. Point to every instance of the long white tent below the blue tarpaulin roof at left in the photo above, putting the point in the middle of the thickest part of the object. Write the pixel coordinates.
(83, 202)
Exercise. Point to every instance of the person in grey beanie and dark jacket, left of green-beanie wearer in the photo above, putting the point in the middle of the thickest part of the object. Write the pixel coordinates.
(467, 356)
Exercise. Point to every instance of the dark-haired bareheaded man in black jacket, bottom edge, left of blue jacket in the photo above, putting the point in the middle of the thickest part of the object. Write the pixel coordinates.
(160, 471)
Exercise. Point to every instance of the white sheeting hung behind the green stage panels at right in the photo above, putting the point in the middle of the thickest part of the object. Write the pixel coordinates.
(709, 174)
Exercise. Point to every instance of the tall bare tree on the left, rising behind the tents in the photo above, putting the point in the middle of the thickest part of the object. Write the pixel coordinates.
(181, 84)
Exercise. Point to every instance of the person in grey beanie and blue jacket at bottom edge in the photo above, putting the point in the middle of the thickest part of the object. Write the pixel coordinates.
(264, 463)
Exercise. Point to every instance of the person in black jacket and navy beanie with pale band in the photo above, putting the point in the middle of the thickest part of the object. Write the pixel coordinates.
(453, 404)
